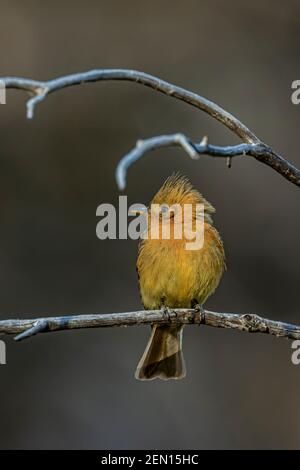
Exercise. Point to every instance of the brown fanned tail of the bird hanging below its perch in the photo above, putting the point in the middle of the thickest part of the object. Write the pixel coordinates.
(163, 356)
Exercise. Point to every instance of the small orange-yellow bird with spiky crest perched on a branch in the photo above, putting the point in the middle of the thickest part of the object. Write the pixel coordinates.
(172, 276)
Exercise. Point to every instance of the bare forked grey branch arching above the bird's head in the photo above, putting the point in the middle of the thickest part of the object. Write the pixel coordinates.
(258, 150)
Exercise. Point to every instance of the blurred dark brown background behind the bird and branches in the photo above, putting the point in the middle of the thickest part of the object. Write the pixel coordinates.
(76, 389)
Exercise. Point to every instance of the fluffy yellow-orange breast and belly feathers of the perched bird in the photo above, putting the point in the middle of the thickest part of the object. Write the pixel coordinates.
(173, 276)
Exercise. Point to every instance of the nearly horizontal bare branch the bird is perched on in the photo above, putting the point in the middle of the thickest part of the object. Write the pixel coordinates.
(250, 323)
